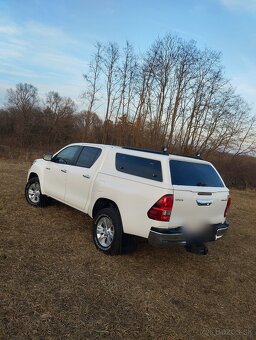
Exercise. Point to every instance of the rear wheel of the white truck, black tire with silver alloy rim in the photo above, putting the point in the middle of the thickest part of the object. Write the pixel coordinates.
(108, 231)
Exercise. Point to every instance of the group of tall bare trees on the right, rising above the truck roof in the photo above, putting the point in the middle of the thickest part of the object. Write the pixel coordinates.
(174, 94)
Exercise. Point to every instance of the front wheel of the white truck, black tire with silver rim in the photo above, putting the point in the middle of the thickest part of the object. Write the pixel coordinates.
(33, 193)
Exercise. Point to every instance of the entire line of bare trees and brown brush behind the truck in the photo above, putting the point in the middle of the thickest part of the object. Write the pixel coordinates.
(174, 94)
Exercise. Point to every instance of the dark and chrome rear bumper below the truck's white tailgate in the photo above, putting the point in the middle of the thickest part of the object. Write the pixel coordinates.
(158, 236)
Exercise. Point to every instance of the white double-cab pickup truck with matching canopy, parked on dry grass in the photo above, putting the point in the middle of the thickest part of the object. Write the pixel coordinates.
(134, 192)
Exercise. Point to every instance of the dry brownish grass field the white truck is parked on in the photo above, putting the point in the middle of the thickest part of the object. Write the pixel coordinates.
(55, 284)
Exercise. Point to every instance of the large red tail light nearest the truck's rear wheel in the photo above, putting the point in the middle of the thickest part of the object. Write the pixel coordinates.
(161, 210)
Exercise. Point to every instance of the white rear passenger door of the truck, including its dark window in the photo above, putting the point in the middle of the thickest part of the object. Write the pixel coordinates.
(80, 177)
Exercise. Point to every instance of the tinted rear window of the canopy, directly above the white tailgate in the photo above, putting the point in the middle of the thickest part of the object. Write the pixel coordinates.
(194, 174)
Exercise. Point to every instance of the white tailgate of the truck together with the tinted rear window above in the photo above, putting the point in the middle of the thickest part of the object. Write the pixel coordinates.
(200, 195)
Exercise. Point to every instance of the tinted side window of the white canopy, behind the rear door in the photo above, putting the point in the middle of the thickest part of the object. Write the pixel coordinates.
(139, 166)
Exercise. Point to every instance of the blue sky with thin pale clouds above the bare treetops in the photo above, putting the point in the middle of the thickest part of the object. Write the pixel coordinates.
(49, 43)
